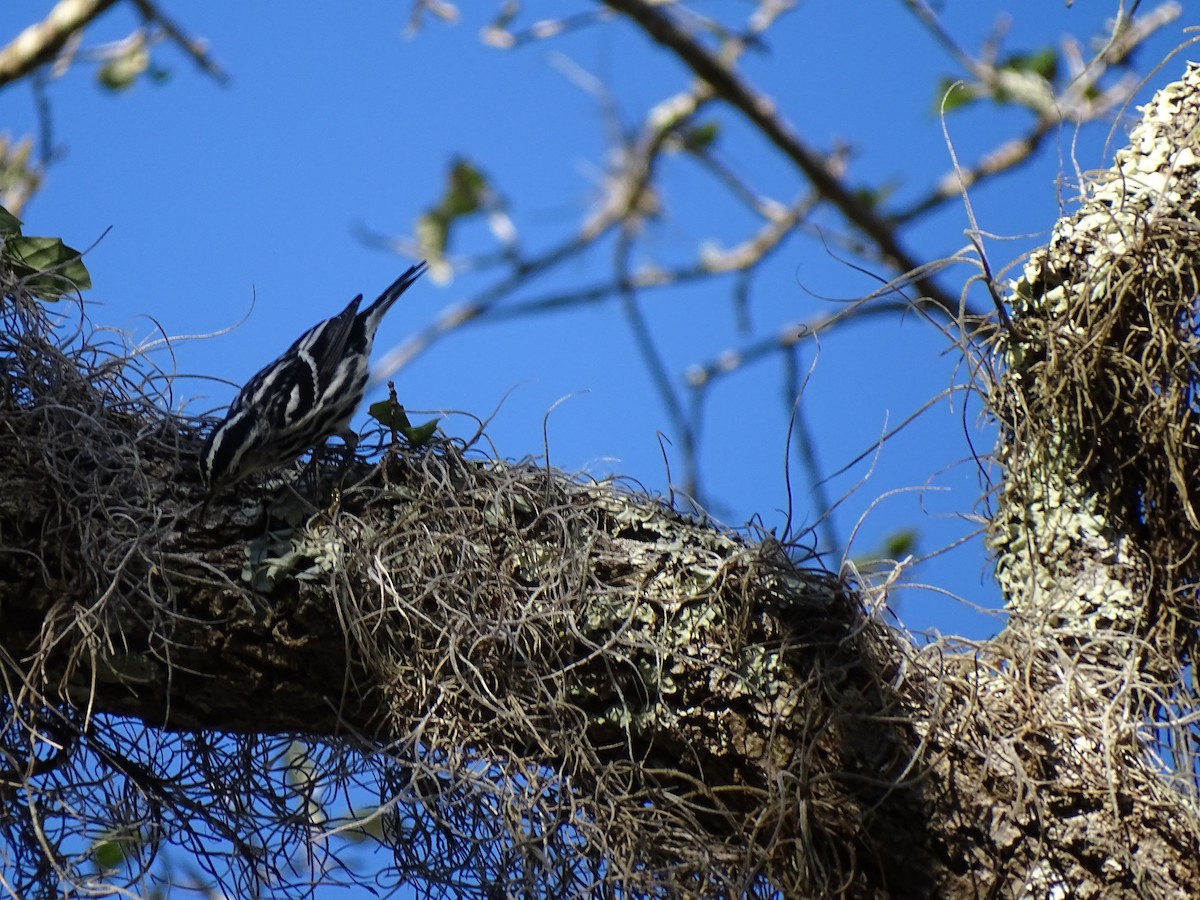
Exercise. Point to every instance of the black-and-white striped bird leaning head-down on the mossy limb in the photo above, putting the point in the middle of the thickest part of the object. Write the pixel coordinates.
(303, 398)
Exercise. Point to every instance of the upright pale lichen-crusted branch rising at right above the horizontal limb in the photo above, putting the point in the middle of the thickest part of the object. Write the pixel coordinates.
(1097, 512)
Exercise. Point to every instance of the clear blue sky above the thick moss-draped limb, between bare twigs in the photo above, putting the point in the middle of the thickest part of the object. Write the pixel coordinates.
(215, 200)
